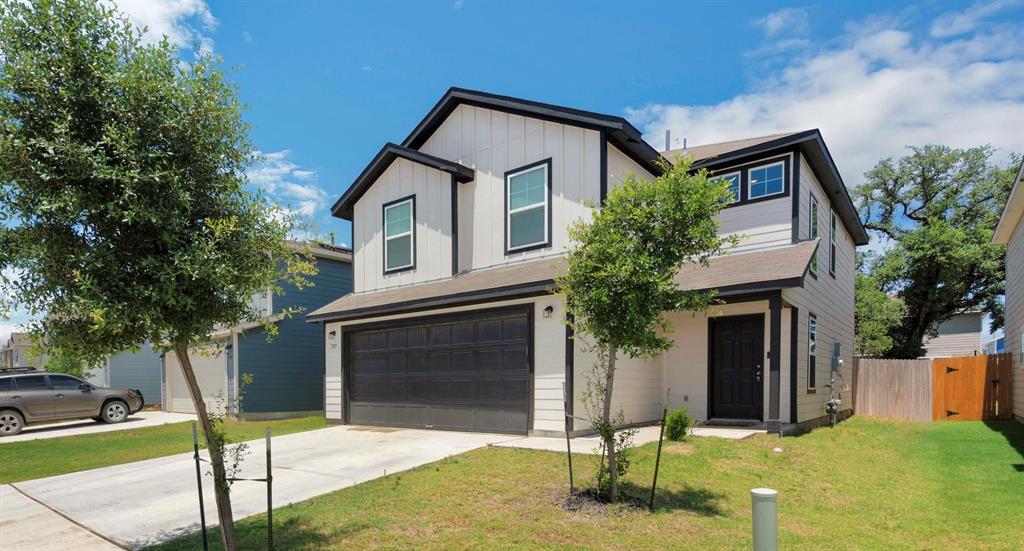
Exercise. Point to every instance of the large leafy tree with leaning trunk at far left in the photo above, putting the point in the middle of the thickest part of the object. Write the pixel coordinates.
(122, 194)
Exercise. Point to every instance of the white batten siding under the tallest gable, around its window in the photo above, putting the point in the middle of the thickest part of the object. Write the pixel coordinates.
(494, 143)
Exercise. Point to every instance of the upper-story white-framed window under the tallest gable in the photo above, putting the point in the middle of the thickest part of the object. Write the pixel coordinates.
(528, 202)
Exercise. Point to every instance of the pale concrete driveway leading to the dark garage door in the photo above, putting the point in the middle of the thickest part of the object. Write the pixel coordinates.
(147, 502)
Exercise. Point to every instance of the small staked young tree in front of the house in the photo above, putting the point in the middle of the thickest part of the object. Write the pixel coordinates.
(622, 269)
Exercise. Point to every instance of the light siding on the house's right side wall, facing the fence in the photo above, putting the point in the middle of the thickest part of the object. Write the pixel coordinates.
(830, 300)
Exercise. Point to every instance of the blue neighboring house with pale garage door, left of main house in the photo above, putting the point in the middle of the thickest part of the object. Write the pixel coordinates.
(287, 372)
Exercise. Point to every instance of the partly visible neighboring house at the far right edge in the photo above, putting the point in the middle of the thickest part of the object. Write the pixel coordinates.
(1011, 233)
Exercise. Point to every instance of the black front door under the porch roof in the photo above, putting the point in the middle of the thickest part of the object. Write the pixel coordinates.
(738, 367)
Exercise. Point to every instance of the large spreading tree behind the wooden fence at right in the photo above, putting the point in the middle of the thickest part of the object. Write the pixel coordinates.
(938, 207)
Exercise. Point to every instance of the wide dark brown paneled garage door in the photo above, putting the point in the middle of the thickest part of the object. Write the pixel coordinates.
(466, 372)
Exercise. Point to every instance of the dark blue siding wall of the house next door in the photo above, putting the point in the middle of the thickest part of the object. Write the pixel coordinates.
(288, 372)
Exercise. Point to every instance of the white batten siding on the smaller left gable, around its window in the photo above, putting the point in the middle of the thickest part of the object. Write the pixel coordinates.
(433, 190)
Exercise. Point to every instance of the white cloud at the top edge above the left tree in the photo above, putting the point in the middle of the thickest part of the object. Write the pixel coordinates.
(186, 23)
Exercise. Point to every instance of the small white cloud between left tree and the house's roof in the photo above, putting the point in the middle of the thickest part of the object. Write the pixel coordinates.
(288, 185)
